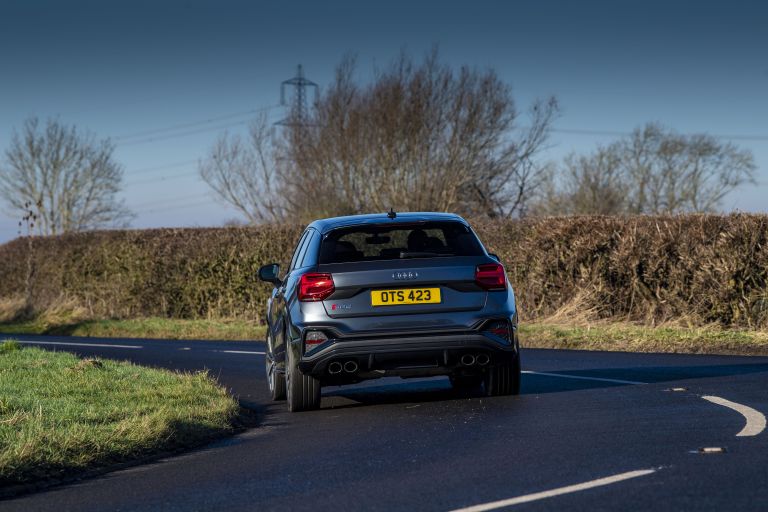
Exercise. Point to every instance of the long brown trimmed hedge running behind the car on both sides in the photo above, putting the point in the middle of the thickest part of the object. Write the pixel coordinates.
(700, 269)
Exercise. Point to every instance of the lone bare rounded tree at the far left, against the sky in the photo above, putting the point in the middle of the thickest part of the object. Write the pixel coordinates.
(70, 179)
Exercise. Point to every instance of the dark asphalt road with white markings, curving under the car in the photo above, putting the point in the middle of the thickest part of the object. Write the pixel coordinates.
(590, 431)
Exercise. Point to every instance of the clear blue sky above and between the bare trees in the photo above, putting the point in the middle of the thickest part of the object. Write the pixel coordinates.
(119, 68)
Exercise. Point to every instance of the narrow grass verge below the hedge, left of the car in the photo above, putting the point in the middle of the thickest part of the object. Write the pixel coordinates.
(163, 328)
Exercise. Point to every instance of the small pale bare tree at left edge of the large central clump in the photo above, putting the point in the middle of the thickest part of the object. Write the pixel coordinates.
(244, 173)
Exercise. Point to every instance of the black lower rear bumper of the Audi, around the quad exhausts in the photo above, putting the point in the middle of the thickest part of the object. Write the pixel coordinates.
(435, 354)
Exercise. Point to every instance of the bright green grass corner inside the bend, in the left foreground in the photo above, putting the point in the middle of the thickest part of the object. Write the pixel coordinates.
(61, 415)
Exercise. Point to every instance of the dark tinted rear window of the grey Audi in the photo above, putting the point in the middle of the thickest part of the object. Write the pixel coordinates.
(399, 241)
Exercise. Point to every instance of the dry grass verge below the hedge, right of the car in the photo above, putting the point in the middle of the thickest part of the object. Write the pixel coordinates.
(635, 338)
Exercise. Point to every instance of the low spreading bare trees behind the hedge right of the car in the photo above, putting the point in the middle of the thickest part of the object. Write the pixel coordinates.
(654, 170)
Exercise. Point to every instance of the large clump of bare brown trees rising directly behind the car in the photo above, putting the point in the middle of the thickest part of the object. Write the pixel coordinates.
(418, 137)
